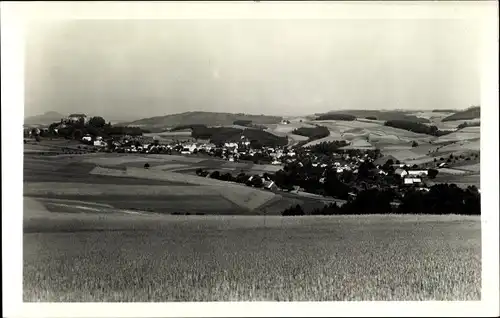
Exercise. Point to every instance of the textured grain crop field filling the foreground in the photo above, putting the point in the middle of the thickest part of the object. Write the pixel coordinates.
(181, 258)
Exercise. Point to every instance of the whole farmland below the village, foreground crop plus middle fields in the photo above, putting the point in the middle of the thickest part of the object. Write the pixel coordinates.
(100, 228)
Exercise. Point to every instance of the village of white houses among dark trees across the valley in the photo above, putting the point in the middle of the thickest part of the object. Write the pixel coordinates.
(298, 169)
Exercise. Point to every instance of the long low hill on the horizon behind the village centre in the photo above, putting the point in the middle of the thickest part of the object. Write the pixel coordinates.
(205, 118)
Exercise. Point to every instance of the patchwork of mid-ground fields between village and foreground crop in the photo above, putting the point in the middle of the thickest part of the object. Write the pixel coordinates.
(169, 186)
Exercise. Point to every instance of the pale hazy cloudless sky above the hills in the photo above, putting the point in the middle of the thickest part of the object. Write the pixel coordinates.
(130, 69)
